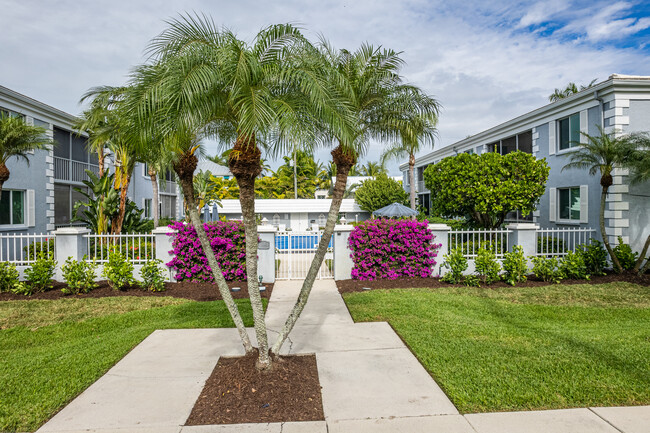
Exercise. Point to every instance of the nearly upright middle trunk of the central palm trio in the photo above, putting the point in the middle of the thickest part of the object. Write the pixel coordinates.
(245, 165)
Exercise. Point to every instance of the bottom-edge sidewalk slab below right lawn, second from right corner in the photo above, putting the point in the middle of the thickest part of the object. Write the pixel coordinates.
(546, 421)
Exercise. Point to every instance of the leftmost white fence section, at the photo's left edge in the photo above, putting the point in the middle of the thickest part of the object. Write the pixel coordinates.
(23, 249)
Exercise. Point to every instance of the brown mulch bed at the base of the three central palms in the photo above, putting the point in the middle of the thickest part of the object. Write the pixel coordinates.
(237, 392)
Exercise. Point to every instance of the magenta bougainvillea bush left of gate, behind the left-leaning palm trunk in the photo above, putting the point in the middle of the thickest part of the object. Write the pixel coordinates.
(228, 242)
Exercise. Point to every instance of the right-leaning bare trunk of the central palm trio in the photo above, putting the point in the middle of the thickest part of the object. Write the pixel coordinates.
(344, 161)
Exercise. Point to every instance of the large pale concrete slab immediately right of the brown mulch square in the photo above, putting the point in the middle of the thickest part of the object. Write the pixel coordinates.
(378, 384)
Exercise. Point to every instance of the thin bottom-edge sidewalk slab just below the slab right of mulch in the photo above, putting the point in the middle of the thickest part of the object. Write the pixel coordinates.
(424, 424)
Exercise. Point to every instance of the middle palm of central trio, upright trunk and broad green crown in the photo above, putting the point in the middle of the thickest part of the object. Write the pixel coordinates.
(238, 93)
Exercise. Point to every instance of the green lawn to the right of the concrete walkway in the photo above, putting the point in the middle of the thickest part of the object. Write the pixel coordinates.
(524, 348)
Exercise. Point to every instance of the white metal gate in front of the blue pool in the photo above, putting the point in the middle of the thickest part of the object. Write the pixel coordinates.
(294, 252)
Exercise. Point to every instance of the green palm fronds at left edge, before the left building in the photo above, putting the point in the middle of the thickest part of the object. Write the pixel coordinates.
(17, 140)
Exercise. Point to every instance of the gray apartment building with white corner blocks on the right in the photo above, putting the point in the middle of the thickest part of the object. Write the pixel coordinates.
(620, 104)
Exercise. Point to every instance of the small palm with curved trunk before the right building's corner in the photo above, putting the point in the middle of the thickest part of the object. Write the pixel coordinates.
(601, 155)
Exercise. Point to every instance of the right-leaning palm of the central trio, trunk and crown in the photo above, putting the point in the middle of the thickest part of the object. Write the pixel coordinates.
(371, 88)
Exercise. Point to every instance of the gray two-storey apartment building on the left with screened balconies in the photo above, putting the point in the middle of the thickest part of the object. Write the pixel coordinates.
(40, 197)
